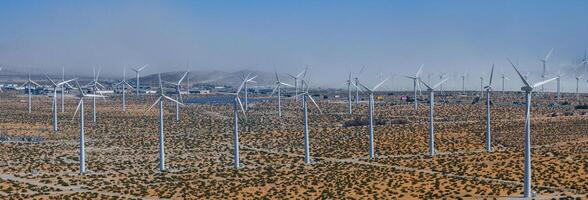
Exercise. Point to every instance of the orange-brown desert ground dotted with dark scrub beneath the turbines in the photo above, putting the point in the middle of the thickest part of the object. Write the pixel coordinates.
(122, 151)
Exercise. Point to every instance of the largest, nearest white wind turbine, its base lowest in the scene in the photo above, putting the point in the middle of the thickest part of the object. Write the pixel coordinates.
(528, 89)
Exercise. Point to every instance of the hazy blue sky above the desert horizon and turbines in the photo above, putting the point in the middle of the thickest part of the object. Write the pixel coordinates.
(333, 37)
